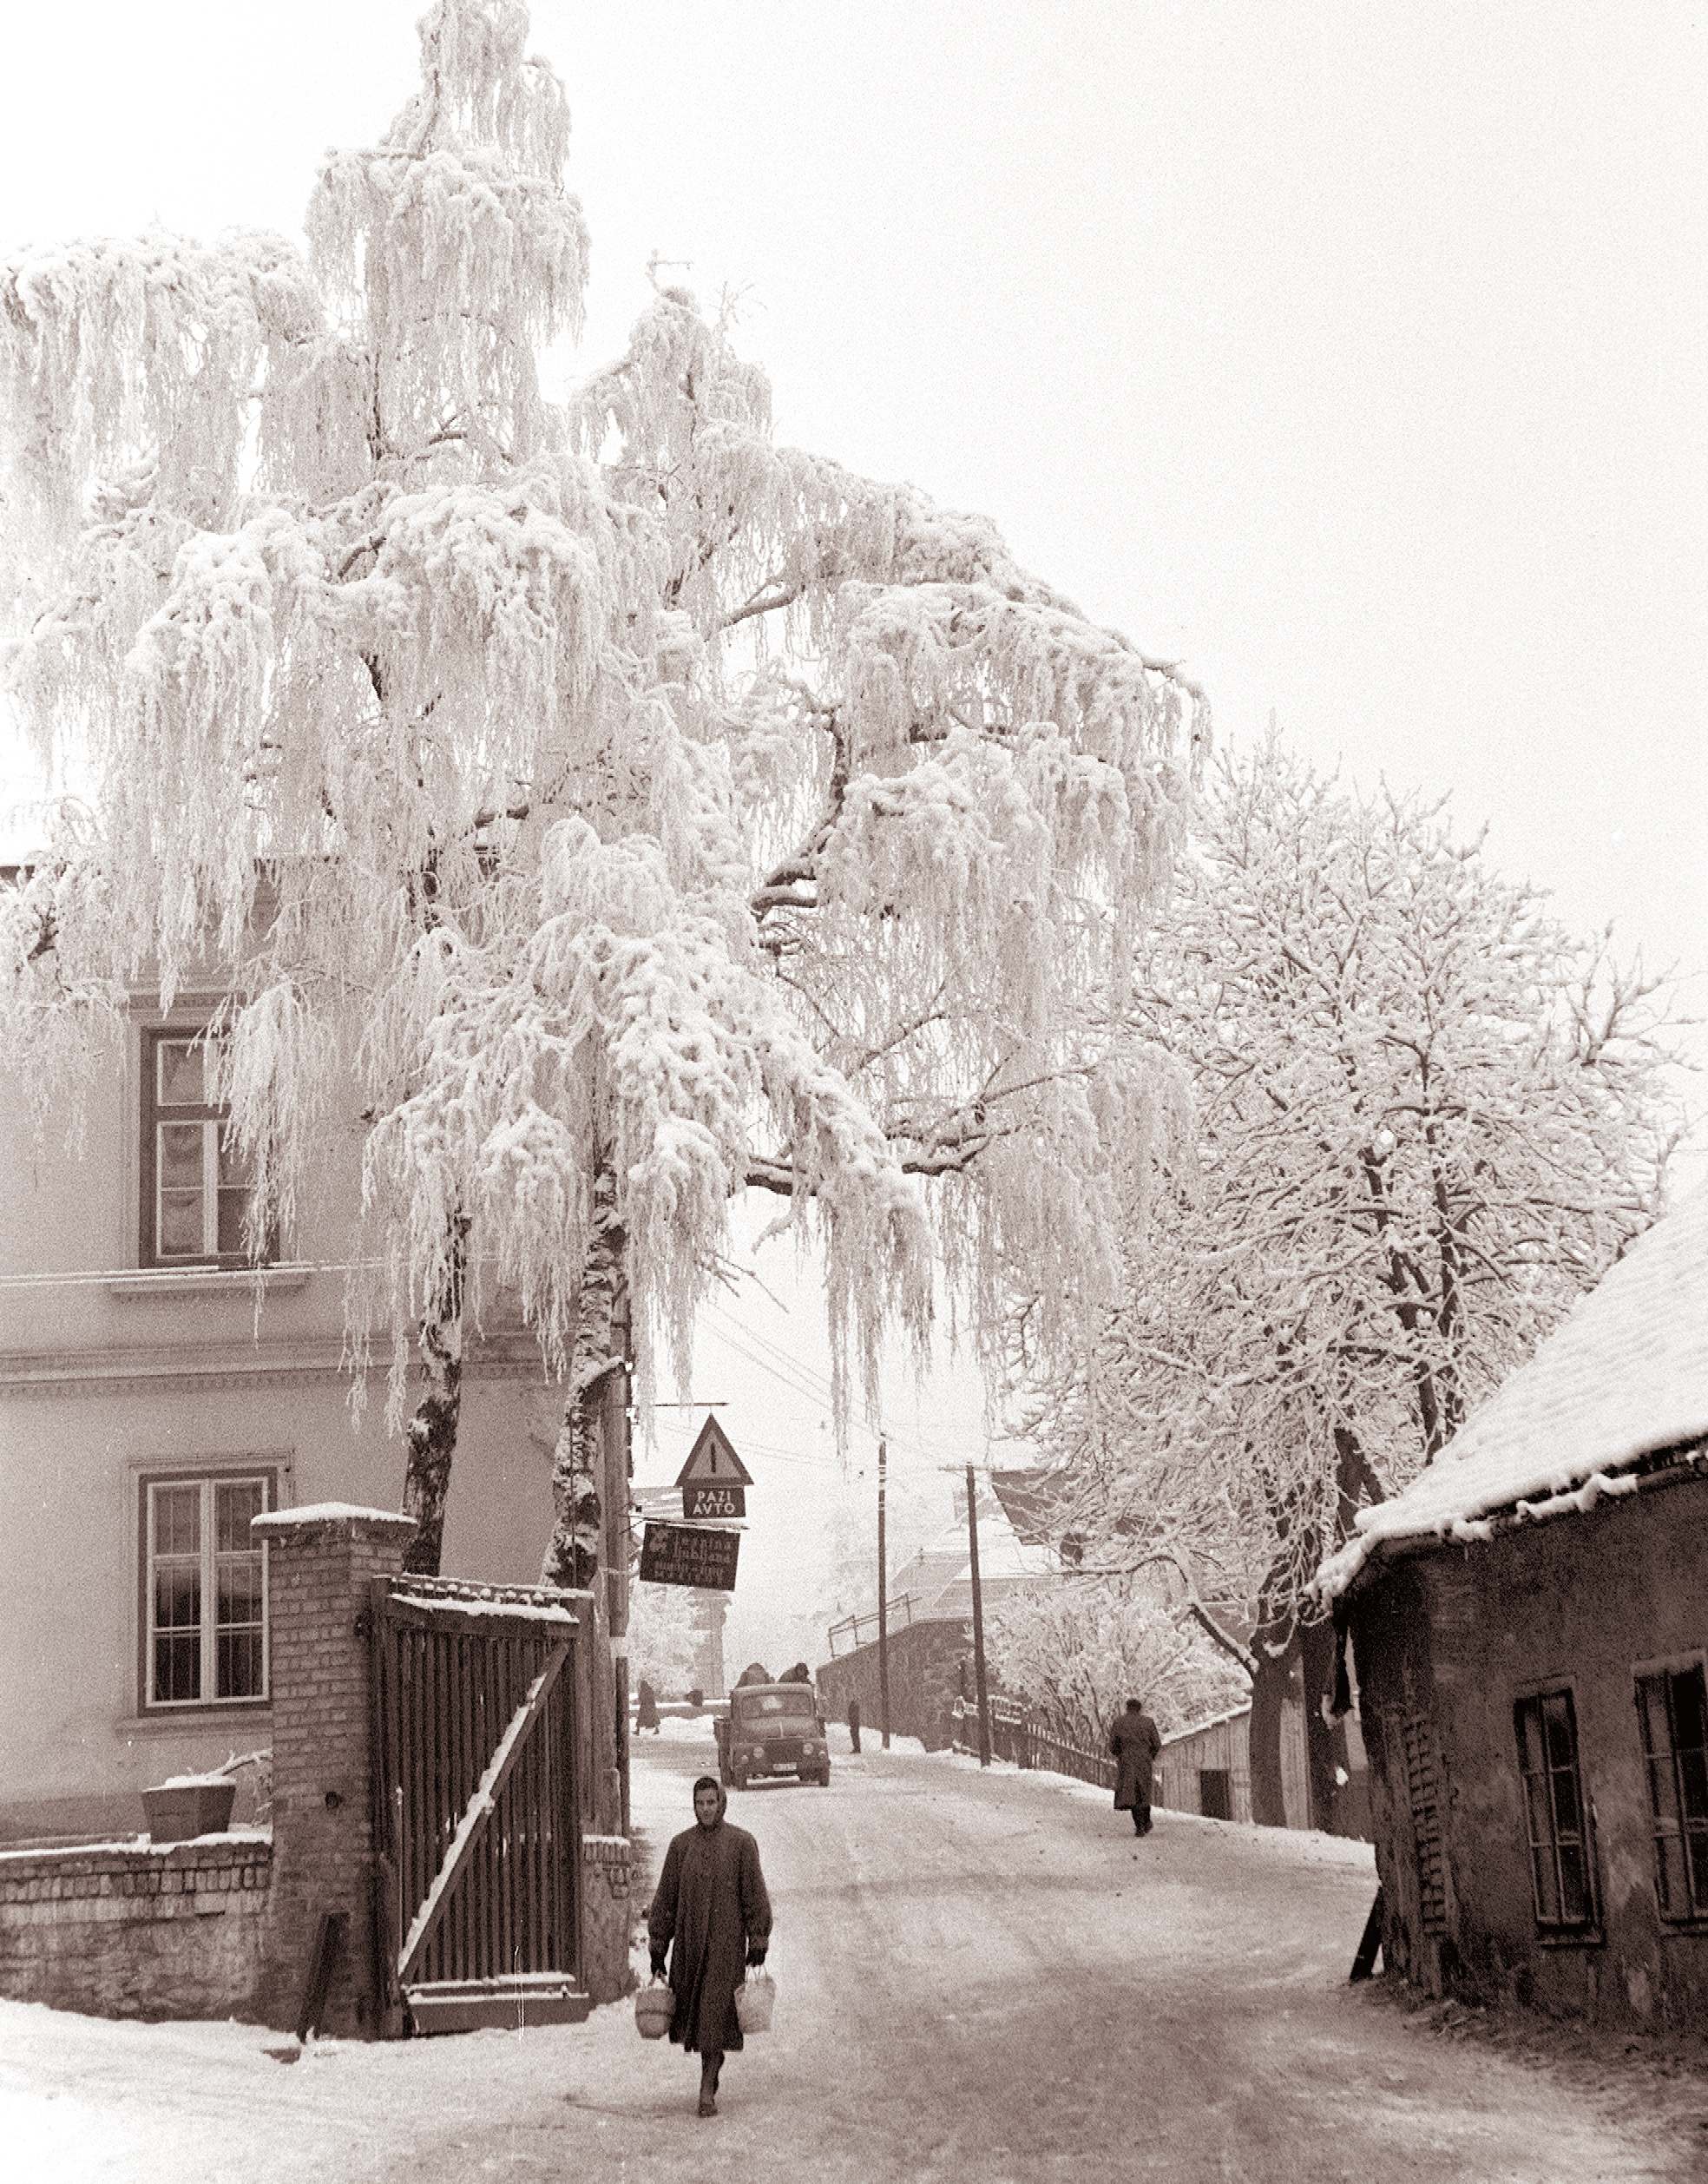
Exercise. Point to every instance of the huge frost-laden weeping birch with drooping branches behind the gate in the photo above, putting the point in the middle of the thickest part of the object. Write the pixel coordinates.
(632, 807)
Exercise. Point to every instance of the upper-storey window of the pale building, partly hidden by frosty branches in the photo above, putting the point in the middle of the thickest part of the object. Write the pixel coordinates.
(195, 1185)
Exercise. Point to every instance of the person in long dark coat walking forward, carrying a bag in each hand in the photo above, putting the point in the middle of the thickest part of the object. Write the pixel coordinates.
(711, 1903)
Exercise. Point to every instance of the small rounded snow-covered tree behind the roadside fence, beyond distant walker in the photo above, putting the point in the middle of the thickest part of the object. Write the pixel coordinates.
(1078, 1650)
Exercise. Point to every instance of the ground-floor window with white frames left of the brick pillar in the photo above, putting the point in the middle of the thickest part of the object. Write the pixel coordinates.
(206, 1591)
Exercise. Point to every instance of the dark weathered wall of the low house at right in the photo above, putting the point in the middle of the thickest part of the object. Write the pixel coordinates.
(1454, 1639)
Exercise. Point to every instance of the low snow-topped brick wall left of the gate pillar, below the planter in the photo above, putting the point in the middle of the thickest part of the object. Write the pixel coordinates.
(139, 1932)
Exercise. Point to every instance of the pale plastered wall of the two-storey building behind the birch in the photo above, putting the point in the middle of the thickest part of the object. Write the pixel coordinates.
(108, 1370)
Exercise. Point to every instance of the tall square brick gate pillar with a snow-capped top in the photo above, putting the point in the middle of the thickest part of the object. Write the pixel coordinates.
(320, 1567)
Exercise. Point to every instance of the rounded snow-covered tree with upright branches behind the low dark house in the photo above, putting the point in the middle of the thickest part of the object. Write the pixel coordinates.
(1427, 1121)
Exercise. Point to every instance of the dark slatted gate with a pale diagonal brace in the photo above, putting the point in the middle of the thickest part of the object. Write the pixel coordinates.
(477, 1814)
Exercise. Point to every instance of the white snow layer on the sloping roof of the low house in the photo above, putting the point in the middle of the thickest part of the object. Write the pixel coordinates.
(1624, 1377)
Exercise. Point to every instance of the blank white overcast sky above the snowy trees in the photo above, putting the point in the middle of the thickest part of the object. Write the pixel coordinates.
(1353, 353)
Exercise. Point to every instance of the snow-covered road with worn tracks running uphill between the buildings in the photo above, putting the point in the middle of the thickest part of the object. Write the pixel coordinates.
(980, 1978)
